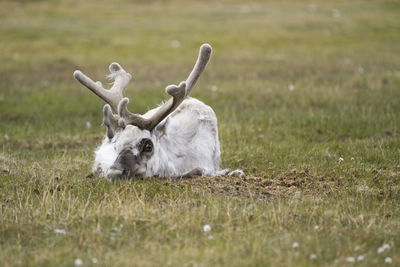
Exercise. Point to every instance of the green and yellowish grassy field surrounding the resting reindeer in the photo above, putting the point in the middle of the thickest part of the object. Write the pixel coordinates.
(307, 94)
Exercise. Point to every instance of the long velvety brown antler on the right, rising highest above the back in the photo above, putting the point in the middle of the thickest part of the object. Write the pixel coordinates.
(178, 94)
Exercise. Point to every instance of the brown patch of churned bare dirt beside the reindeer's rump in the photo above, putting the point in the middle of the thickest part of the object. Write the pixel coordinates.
(290, 184)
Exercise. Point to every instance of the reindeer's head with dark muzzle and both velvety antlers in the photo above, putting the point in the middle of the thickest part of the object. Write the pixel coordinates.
(131, 139)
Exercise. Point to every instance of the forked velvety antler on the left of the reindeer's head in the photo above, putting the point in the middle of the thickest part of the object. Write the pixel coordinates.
(112, 96)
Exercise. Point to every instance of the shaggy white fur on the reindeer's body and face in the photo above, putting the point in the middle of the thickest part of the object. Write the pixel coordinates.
(188, 140)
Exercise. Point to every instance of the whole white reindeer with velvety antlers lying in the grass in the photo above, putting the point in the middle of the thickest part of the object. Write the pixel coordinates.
(177, 139)
